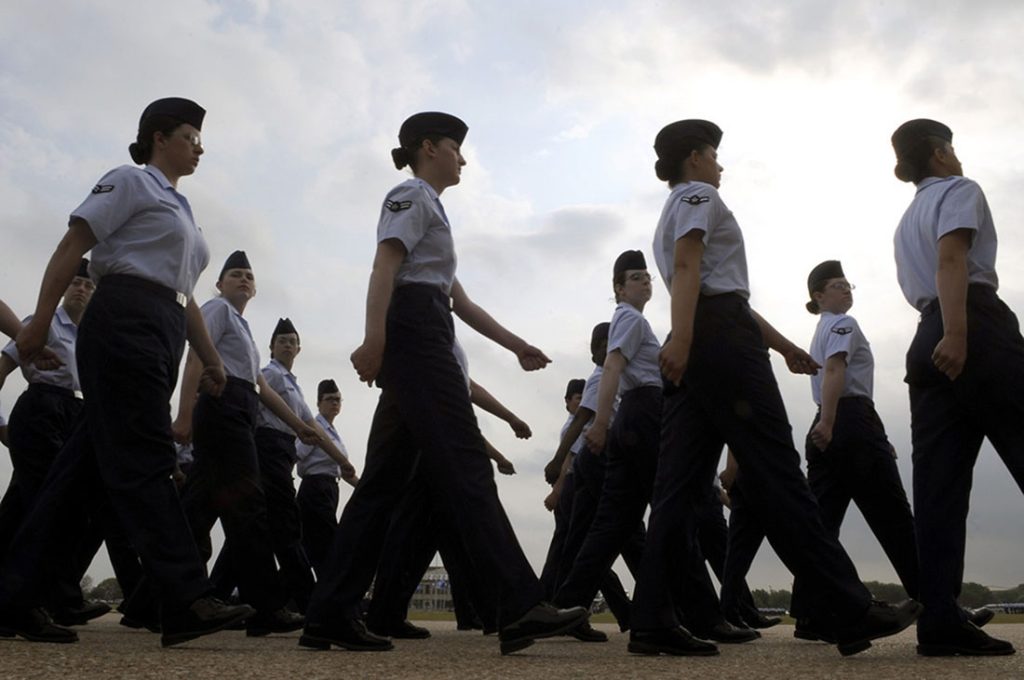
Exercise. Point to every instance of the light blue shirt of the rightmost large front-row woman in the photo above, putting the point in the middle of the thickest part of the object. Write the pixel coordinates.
(941, 206)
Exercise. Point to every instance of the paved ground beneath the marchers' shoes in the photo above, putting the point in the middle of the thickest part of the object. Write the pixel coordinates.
(108, 651)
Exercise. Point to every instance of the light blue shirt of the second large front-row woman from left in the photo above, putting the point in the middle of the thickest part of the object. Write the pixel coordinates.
(413, 215)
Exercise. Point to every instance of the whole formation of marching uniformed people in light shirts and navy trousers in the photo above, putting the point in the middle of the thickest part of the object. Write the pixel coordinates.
(98, 458)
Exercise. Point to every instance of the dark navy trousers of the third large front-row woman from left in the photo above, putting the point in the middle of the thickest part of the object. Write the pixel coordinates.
(730, 396)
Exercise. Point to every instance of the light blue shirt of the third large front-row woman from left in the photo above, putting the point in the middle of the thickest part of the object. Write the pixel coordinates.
(697, 206)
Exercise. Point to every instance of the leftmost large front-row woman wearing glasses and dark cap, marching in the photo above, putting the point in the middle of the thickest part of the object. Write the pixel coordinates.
(147, 256)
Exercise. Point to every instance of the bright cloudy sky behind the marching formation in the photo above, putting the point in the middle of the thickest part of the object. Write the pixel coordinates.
(564, 102)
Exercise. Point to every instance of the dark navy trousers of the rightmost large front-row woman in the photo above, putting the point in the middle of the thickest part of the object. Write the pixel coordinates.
(949, 421)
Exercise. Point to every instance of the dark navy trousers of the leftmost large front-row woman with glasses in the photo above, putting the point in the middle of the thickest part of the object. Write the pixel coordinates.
(130, 349)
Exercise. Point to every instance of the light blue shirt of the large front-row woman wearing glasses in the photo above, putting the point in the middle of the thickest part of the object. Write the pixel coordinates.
(145, 229)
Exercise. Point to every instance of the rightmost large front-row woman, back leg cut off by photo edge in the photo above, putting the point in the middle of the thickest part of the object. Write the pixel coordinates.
(965, 368)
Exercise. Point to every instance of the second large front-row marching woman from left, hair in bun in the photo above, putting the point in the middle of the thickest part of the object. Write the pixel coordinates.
(424, 407)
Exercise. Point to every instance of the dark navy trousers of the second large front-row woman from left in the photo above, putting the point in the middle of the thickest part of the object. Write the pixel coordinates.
(424, 409)
